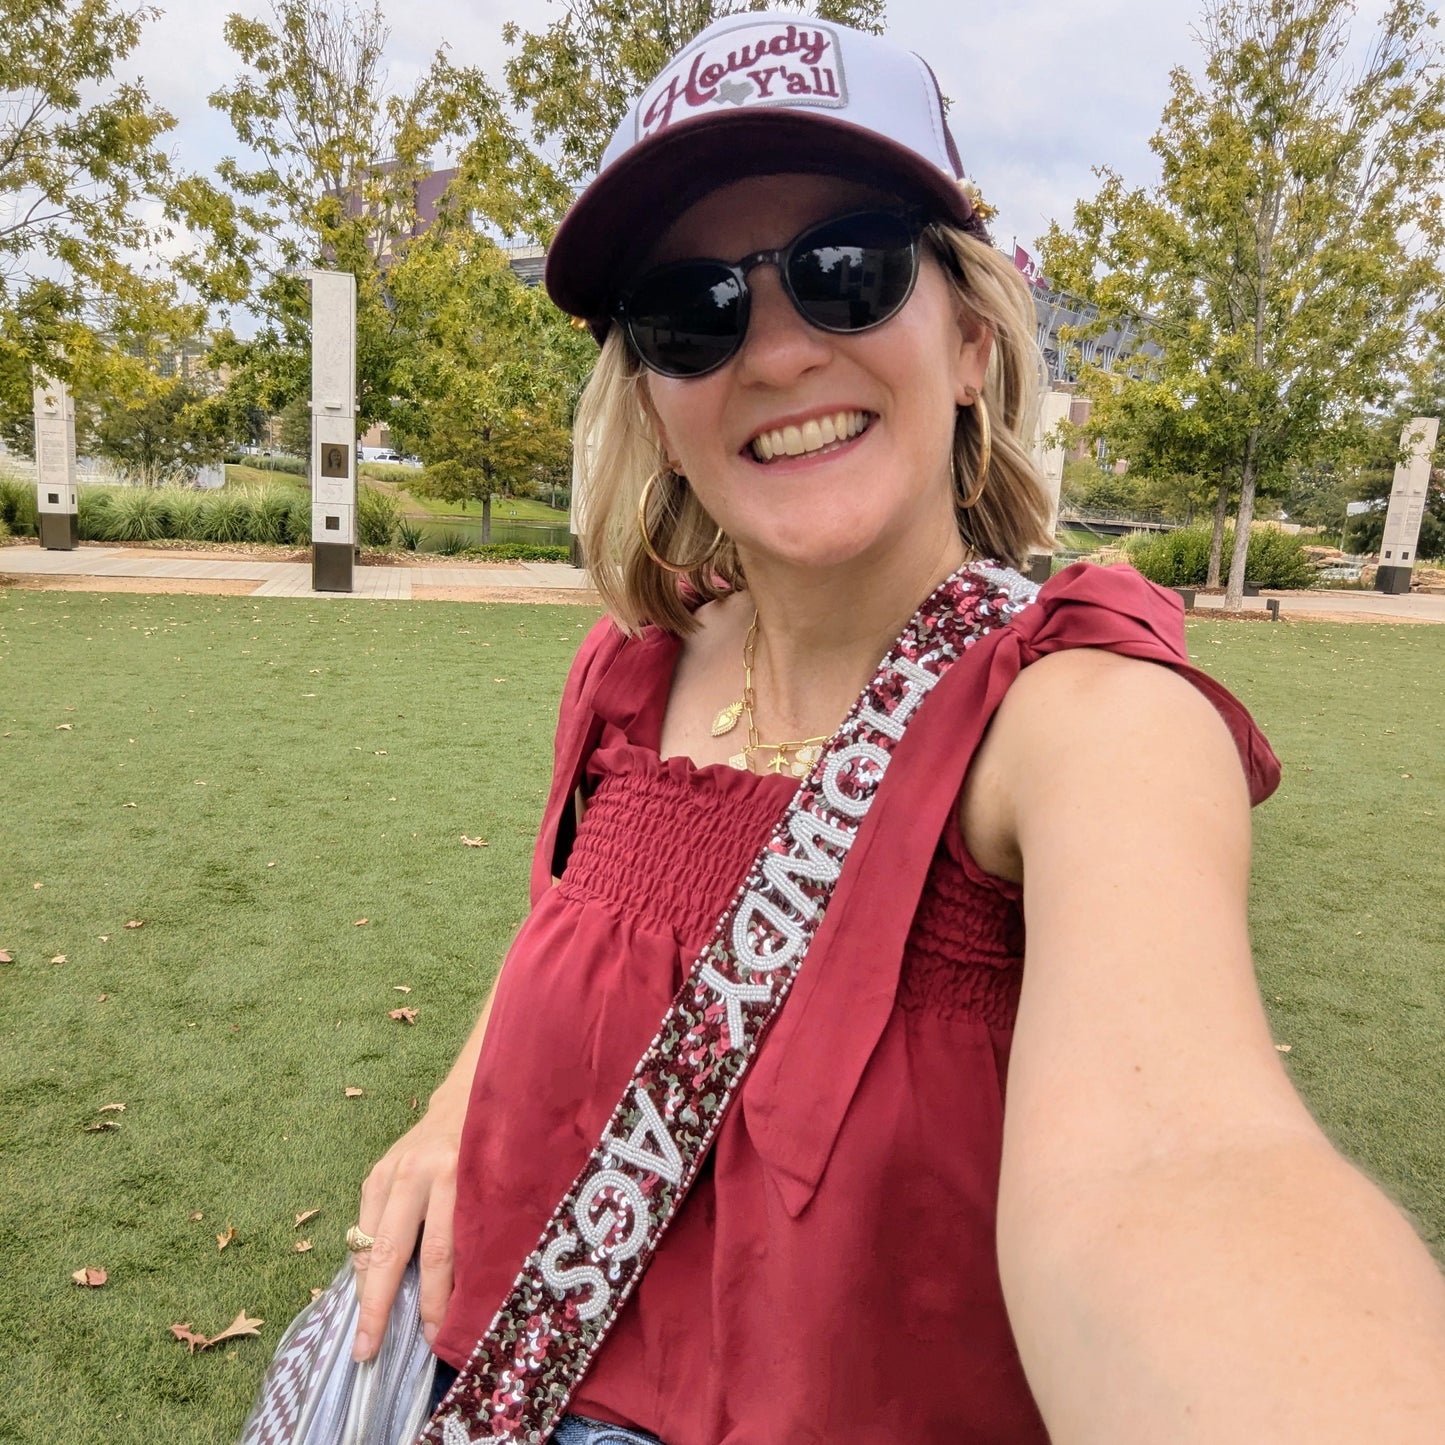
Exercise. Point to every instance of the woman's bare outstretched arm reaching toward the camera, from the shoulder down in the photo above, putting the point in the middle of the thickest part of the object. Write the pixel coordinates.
(1184, 1256)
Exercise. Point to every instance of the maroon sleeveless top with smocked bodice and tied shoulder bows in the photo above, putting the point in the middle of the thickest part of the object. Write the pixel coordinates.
(833, 1274)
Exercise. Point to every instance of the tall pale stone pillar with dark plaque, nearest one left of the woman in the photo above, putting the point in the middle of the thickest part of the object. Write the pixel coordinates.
(333, 430)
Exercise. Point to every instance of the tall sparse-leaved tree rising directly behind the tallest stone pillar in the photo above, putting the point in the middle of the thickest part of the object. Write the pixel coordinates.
(342, 164)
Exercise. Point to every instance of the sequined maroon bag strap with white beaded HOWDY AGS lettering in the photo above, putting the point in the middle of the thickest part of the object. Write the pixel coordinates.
(603, 1235)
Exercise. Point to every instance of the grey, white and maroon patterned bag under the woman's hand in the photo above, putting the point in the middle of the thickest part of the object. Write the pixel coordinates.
(314, 1394)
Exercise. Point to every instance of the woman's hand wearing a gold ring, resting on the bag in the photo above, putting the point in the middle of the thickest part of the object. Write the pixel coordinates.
(413, 1189)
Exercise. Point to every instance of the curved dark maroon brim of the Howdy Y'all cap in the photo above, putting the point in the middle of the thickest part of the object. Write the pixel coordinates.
(618, 219)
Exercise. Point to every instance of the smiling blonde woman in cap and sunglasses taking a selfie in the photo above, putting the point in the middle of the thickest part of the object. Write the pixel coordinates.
(817, 433)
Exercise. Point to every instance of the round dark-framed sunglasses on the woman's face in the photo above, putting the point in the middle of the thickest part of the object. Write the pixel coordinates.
(845, 275)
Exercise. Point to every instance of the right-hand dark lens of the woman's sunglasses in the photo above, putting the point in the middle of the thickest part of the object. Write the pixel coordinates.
(855, 272)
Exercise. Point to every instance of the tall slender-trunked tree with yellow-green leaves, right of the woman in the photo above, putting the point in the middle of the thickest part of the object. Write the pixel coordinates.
(1290, 258)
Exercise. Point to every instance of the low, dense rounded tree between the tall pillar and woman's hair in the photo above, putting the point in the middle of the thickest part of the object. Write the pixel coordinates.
(495, 372)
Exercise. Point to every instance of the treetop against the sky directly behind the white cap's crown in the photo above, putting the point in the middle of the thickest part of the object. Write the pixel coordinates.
(577, 77)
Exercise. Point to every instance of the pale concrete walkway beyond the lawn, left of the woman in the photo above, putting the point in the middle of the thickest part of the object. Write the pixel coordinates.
(285, 579)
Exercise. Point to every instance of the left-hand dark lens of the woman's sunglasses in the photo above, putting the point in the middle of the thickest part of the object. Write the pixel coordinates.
(687, 320)
